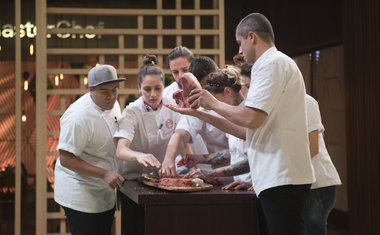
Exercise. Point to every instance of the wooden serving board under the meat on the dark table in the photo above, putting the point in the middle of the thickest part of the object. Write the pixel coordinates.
(152, 181)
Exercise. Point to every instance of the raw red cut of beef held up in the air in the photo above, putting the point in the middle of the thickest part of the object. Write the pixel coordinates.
(188, 82)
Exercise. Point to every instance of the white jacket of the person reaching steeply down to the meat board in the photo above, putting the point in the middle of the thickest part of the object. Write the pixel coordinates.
(214, 138)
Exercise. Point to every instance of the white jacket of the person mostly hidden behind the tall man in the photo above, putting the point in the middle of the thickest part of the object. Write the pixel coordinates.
(325, 172)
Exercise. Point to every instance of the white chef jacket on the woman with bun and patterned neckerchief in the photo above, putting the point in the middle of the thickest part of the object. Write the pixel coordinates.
(148, 132)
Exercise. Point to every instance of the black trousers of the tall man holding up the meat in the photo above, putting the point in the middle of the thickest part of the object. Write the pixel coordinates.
(281, 208)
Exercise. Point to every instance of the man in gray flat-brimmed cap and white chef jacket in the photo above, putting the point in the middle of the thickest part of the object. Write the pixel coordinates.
(86, 171)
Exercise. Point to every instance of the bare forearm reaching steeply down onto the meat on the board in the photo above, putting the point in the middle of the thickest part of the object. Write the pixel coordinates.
(177, 143)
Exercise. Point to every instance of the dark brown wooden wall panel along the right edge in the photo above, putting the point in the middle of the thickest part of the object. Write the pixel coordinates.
(361, 34)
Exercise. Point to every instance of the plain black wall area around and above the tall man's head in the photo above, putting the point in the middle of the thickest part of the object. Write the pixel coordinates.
(299, 26)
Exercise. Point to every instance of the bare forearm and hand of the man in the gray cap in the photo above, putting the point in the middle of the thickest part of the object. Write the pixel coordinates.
(74, 163)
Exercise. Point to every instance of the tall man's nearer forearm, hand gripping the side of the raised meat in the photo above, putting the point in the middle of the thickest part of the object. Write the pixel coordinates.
(240, 115)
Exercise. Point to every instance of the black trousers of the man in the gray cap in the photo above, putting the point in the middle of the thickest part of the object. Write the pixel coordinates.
(82, 223)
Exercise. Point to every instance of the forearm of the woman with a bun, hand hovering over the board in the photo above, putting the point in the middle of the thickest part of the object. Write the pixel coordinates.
(123, 152)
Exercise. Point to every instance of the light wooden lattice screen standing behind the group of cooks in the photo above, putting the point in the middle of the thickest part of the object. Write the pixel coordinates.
(63, 92)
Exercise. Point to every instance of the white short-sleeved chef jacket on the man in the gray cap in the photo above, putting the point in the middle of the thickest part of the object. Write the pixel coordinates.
(86, 132)
